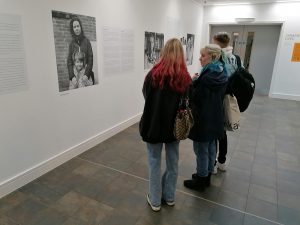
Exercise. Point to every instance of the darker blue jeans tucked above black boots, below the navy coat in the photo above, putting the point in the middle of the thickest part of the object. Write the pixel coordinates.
(206, 156)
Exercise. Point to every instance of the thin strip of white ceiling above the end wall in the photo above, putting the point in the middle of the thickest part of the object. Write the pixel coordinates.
(216, 2)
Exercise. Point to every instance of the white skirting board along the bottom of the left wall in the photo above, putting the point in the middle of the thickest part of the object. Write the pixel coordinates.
(36, 171)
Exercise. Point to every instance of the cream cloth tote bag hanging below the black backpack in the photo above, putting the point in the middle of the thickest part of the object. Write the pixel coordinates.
(232, 113)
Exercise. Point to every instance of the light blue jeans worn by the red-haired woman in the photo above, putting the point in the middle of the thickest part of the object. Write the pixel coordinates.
(165, 186)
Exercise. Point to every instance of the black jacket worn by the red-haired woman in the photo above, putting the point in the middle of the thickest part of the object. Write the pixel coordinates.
(157, 122)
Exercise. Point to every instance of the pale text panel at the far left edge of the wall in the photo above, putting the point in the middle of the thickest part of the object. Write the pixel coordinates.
(13, 76)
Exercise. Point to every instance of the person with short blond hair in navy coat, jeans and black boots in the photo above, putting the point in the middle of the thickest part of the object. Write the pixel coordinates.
(207, 96)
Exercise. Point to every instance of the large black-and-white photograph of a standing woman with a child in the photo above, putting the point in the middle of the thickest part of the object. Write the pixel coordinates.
(75, 49)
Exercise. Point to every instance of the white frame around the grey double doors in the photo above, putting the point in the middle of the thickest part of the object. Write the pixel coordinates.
(261, 23)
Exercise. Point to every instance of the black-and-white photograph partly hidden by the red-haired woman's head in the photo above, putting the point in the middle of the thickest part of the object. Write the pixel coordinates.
(152, 46)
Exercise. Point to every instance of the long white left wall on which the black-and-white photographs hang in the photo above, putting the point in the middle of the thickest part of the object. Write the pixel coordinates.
(42, 128)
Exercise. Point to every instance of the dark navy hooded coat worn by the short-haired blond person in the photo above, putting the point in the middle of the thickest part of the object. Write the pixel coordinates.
(207, 96)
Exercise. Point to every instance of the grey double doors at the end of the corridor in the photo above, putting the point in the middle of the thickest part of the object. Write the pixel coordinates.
(257, 46)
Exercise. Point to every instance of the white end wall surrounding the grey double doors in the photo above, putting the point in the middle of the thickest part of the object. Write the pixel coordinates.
(286, 80)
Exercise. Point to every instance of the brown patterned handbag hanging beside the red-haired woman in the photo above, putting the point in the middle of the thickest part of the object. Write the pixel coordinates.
(184, 120)
